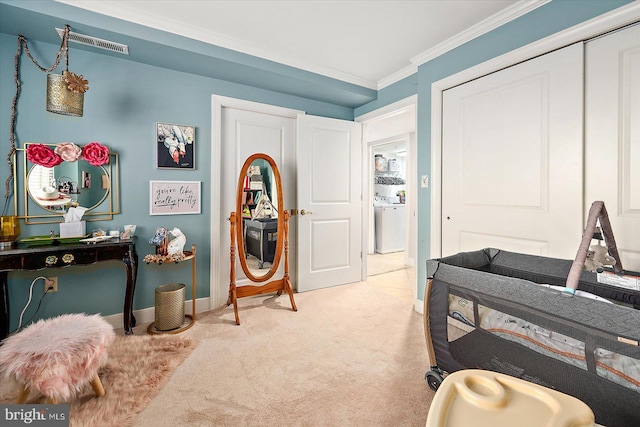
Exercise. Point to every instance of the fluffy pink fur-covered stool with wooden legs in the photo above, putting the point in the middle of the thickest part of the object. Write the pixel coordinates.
(57, 356)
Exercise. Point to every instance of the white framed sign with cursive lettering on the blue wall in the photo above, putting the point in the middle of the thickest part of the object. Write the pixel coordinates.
(174, 197)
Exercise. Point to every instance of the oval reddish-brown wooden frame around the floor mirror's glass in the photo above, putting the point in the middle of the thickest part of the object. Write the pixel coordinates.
(240, 238)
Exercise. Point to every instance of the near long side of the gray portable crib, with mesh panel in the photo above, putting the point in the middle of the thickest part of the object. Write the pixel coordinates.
(593, 330)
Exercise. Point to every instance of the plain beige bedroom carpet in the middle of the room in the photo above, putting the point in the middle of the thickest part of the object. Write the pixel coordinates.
(350, 356)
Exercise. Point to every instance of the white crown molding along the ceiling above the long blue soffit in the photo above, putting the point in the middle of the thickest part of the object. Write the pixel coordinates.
(127, 13)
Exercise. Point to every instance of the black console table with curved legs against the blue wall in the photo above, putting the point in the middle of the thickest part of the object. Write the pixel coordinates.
(24, 257)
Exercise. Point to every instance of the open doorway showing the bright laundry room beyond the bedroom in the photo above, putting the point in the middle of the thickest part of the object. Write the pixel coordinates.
(390, 134)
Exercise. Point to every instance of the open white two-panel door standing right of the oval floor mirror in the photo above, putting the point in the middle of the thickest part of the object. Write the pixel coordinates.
(329, 202)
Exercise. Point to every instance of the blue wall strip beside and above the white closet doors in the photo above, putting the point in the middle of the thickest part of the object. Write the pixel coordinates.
(540, 23)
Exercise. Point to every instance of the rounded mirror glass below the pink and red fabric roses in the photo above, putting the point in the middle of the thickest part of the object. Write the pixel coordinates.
(68, 184)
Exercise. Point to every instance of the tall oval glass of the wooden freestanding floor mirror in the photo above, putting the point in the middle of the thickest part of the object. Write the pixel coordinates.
(259, 212)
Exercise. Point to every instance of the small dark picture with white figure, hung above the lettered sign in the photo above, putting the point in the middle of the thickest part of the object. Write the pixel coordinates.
(175, 146)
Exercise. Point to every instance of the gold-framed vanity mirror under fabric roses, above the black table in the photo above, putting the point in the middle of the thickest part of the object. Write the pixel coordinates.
(49, 192)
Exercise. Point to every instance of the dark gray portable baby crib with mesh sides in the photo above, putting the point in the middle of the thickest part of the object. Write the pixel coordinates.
(487, 309)
